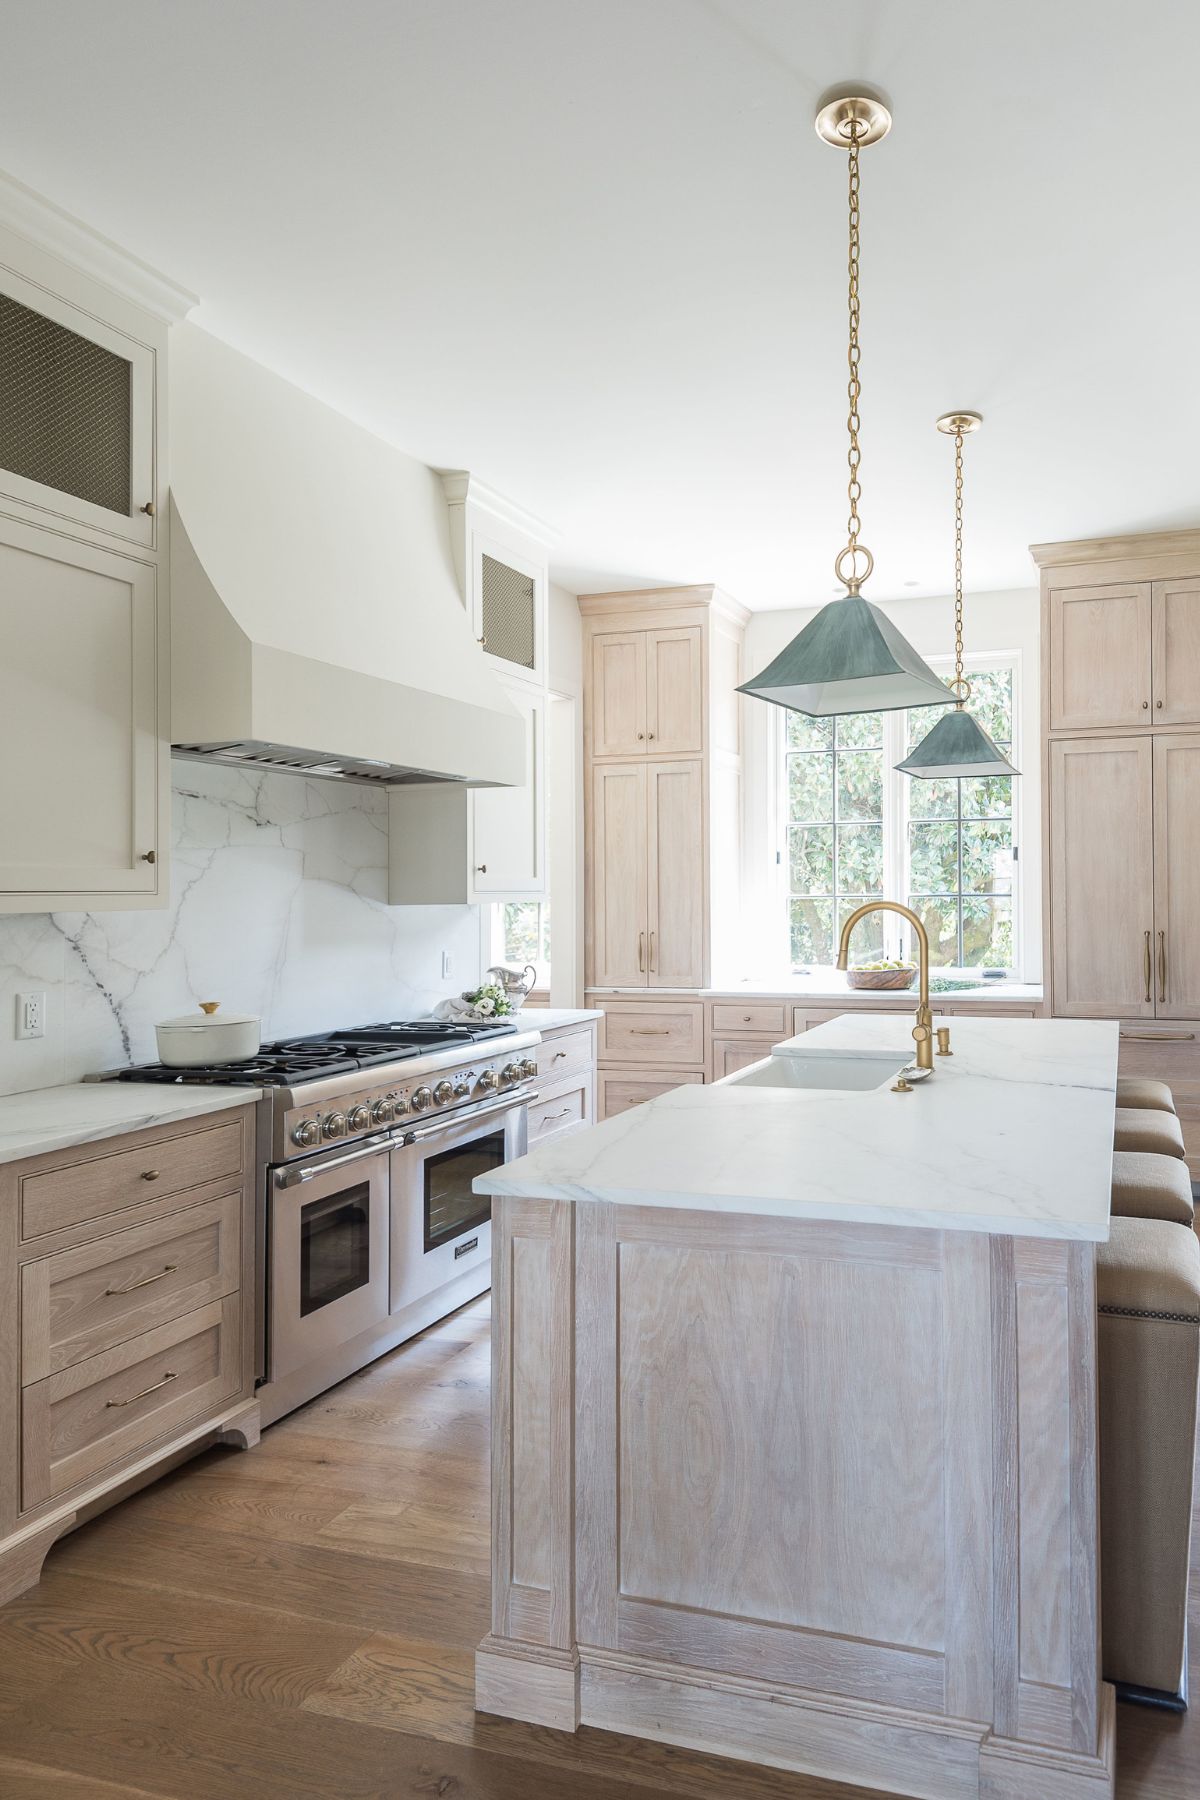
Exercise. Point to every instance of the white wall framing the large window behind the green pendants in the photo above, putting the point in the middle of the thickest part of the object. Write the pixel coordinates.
(992, 625)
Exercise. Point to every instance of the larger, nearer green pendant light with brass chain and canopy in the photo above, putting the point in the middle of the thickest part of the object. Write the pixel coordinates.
(850, 658)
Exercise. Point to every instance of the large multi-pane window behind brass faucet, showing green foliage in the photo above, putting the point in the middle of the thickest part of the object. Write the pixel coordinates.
(854, 829)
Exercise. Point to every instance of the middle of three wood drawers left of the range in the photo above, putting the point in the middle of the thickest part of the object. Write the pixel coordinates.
(96, 1297)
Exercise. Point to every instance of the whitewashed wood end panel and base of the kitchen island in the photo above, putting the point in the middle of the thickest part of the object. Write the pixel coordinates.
(819, 1497)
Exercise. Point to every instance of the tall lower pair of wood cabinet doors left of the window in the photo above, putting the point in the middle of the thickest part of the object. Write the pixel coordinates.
(649, 876)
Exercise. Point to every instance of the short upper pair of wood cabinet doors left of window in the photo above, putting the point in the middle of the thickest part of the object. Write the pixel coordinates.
(647, 692)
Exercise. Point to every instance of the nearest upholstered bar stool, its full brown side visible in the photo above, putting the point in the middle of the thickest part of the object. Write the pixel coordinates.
(1149, 1360)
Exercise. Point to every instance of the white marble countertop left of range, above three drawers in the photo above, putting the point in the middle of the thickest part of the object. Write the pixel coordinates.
(55, 1119)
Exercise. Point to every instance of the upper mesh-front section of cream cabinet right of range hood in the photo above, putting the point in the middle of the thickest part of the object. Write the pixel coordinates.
(501, 561)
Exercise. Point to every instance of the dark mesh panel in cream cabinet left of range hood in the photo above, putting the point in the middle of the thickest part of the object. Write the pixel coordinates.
(66, 409)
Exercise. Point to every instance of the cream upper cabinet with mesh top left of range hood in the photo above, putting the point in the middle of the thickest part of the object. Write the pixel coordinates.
(84, 566)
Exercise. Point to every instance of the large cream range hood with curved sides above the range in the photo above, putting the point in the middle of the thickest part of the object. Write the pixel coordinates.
(316, 616)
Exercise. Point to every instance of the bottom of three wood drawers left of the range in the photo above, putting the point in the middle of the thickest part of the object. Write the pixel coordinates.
(112, 1407)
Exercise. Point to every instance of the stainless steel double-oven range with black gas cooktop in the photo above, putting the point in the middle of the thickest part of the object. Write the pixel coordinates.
(370, 1142)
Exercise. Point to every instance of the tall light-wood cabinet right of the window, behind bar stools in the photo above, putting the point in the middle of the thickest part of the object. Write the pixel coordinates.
(1122, 726)
